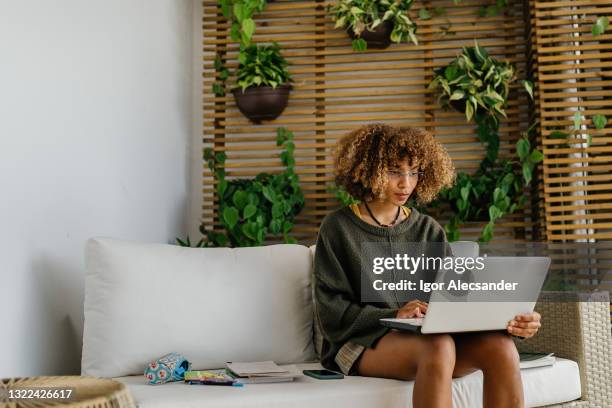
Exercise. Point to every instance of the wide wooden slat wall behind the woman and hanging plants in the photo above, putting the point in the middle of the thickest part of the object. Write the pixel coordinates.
(337, 90)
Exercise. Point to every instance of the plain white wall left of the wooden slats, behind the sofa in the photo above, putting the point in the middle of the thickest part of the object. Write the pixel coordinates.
(95, 133)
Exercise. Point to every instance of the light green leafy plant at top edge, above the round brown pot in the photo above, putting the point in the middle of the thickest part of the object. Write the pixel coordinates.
(240, 14)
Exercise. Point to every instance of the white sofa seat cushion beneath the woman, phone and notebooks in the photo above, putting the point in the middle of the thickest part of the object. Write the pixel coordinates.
(542, 385)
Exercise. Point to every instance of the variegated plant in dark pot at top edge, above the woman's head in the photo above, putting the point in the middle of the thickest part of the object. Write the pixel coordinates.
(374, 23)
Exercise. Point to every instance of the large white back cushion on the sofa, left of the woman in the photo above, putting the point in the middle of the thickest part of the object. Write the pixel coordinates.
(212, 305)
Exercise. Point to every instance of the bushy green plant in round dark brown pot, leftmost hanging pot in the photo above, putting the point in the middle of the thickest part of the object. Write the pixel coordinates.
(262, 82)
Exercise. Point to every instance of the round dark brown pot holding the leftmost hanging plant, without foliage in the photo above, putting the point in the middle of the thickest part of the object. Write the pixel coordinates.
(259, 103)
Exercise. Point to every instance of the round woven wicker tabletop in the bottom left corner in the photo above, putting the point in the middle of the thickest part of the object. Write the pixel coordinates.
(89, 392)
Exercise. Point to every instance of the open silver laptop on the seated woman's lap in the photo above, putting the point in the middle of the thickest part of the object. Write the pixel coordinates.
(476, 310)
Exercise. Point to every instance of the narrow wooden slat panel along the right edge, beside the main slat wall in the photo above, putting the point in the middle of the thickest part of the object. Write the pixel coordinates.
(574, 71)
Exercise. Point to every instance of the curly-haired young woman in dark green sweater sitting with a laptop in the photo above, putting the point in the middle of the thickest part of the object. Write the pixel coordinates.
(383, 166)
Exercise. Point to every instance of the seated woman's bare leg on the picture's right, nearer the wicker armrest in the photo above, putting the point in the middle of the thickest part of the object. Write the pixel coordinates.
(496, 355)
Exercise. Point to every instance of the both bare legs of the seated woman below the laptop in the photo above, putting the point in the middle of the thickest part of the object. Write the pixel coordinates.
(430, 360)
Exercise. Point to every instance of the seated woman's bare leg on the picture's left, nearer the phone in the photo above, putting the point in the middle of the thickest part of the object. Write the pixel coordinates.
(429, 359)
